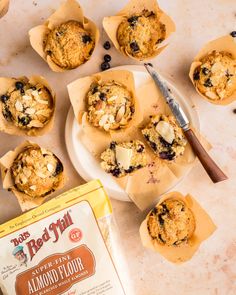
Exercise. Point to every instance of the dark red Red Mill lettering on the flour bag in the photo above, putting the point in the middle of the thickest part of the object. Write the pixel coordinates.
(54, 231)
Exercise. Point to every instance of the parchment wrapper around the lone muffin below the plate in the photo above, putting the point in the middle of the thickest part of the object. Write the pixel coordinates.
(179, 254)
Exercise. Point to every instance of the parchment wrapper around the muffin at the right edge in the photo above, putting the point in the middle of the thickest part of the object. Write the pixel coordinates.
(225, 43)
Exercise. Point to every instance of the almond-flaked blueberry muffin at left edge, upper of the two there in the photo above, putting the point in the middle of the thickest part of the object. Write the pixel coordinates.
(27, 106)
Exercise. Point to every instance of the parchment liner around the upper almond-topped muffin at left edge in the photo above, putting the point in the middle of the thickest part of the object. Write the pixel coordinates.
(9, 127)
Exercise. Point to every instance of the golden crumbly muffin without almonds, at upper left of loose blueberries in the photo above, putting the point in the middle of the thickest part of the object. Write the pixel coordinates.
(69, 45)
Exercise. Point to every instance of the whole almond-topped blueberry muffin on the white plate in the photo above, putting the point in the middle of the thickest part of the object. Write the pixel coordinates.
(110, 105)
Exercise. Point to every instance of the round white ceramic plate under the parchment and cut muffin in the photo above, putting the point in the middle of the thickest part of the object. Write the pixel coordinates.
(84, 162)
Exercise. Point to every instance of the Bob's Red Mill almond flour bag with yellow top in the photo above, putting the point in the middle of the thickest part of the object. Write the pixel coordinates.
(68, 245)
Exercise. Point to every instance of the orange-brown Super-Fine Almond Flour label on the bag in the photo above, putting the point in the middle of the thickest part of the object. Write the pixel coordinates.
(57, 273)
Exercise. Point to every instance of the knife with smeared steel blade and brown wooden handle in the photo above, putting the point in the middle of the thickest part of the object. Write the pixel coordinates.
(214, 172)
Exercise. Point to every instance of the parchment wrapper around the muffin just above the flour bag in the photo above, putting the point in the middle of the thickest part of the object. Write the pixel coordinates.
(26, 202)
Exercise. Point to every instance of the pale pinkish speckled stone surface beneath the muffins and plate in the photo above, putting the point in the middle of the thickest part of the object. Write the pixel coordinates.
(212, 271)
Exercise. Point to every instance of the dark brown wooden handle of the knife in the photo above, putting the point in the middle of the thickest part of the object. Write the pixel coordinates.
(214, 172)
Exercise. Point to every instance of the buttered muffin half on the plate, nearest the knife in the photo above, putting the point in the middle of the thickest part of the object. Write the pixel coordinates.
(165, 137)
